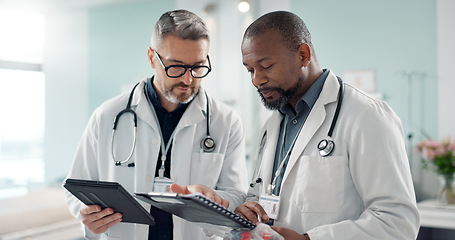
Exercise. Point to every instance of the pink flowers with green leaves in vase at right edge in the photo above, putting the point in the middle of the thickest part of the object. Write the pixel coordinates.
(439, 157)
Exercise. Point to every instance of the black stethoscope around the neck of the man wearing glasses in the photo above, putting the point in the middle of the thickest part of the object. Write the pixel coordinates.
(207, 143)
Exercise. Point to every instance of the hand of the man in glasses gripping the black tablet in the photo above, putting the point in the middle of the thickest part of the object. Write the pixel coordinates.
(97, 220)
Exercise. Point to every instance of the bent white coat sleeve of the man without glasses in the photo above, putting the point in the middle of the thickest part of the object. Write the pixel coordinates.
(380, 172)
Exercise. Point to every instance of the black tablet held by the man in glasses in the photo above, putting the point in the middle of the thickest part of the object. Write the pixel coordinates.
(110, 194)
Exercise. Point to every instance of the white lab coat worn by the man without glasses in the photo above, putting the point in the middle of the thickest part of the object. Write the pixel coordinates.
(363, 190)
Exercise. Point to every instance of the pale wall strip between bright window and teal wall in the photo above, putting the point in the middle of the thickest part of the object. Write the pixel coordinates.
(65, 68)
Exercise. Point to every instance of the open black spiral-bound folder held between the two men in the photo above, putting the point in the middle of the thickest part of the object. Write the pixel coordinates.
(196, 208)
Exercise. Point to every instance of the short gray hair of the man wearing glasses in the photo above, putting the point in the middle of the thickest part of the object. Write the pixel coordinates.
(180, 23)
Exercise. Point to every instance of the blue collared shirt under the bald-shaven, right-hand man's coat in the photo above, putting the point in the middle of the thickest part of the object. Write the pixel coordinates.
(295, 121)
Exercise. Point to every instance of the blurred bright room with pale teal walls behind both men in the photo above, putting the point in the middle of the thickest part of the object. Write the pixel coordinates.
(60, 59)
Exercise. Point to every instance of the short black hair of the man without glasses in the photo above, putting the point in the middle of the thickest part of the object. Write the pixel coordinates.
(291, 27)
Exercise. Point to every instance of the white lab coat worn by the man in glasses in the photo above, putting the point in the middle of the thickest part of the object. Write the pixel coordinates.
(223, 169)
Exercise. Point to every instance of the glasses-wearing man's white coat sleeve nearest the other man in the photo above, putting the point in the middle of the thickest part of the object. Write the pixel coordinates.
(232, 183)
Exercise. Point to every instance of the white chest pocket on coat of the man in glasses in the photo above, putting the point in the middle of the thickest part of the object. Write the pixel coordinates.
(206, 168)
